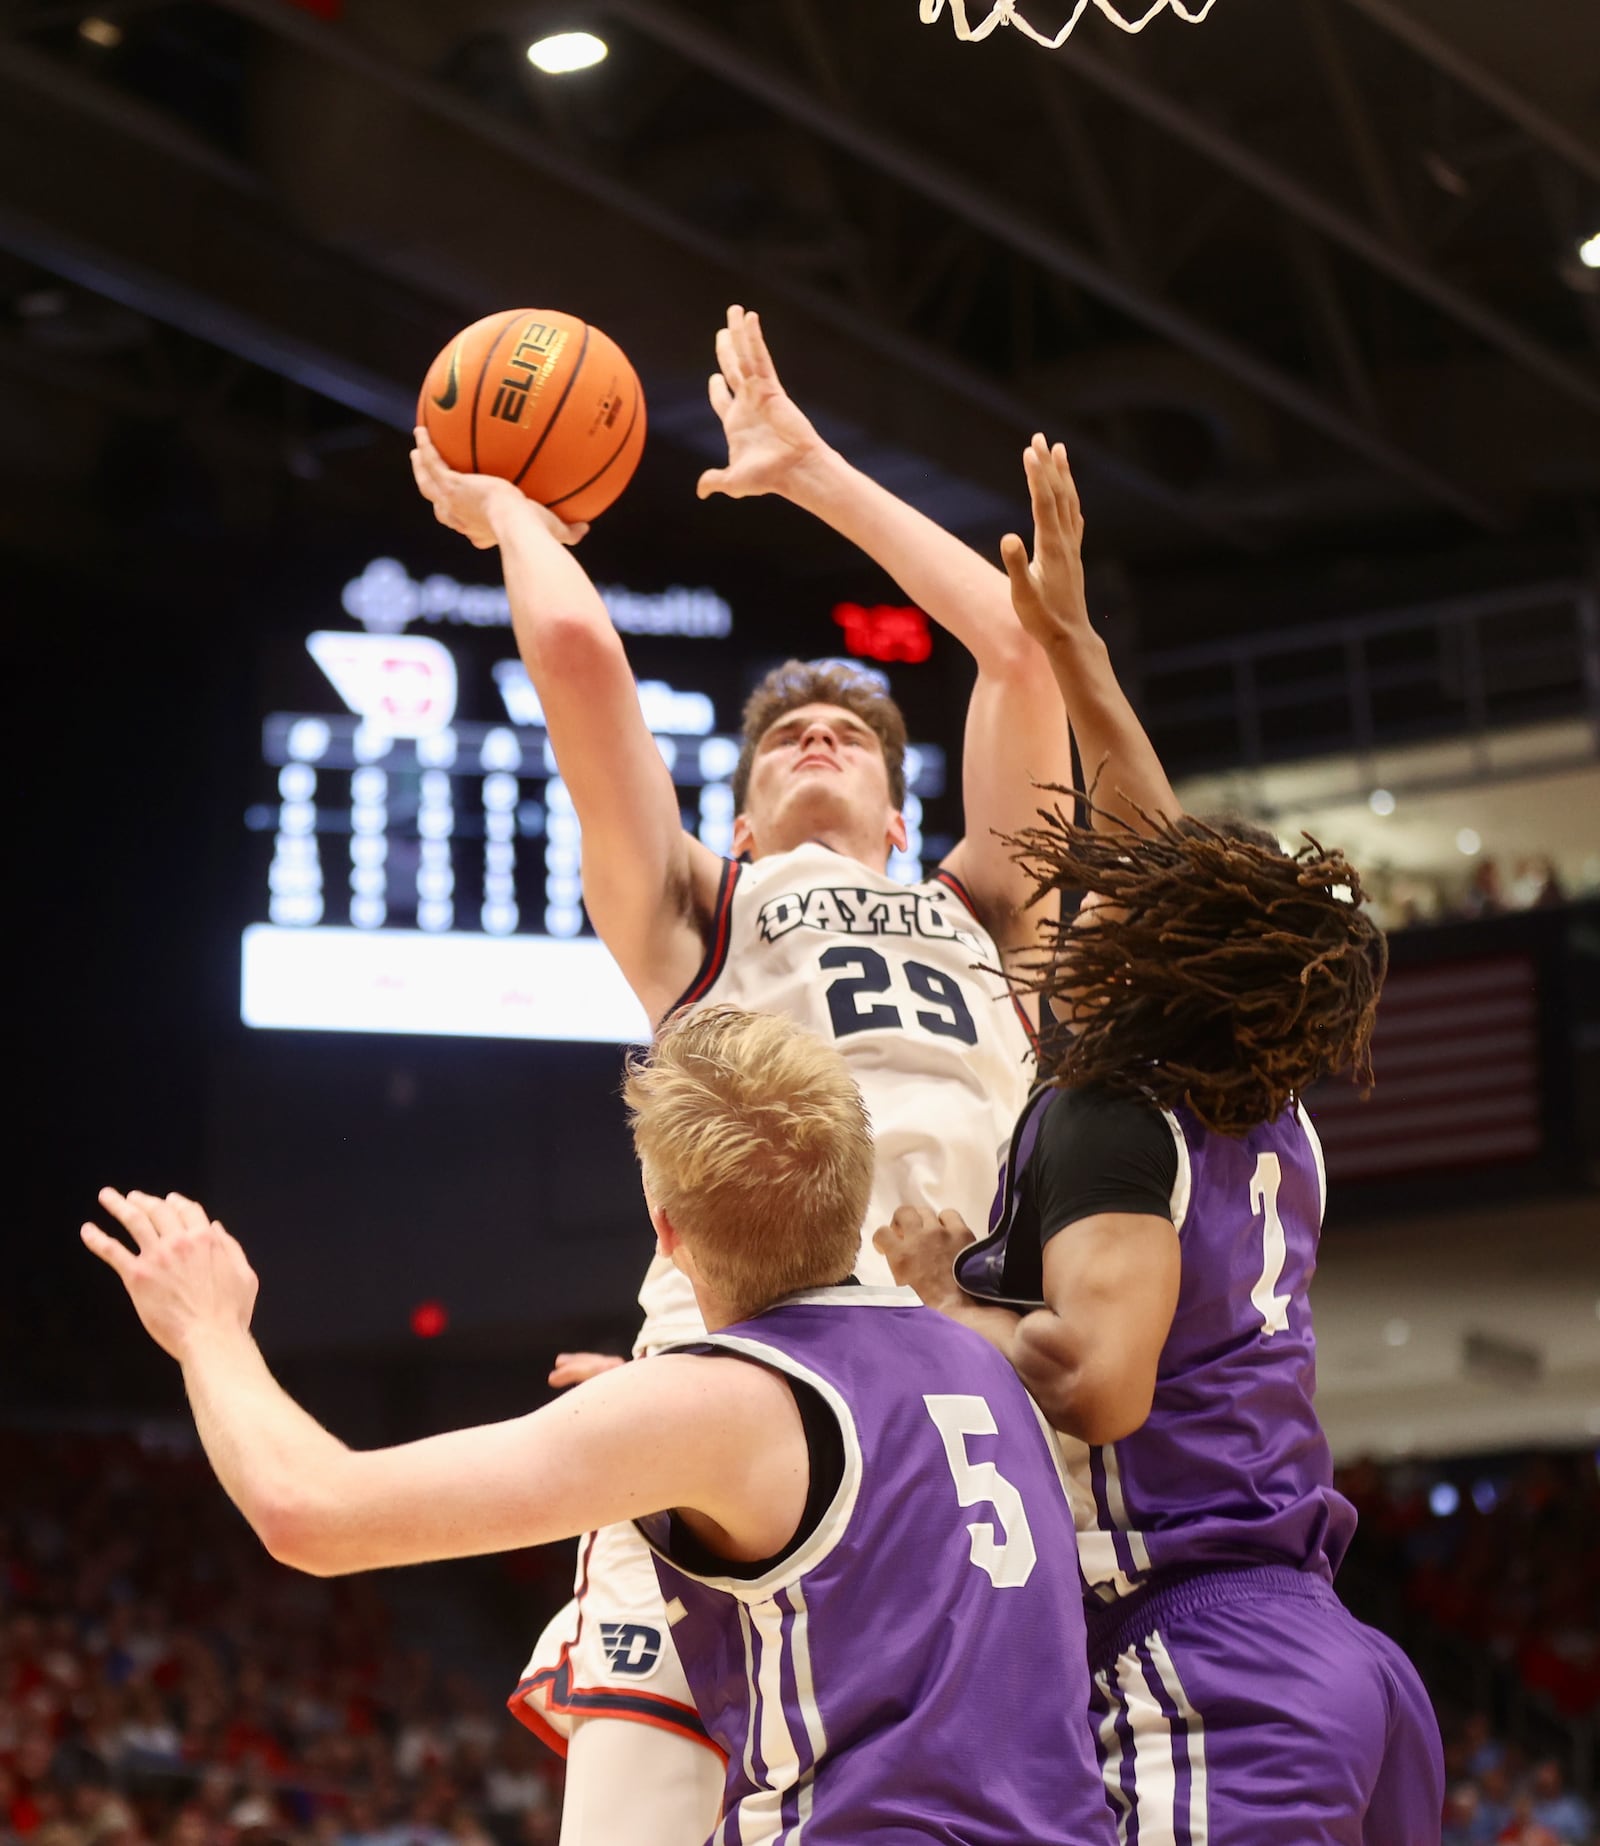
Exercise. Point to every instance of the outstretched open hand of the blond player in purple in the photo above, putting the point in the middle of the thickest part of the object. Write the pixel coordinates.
(185, 1275)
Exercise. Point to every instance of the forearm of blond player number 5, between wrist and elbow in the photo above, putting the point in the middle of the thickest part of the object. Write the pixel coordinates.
(270, 1456)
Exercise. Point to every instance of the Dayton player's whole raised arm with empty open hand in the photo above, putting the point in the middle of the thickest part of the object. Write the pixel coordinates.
(1016, 726)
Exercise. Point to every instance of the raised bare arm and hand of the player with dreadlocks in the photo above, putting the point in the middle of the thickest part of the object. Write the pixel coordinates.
(1047, 593)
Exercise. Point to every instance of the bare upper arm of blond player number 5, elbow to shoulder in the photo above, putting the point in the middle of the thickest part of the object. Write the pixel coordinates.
(719, 1437)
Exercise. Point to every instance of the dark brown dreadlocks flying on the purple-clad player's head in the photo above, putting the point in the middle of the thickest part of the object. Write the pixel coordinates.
(1226, 976)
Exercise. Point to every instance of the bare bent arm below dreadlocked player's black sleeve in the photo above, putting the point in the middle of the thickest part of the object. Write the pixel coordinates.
(1090, 1360)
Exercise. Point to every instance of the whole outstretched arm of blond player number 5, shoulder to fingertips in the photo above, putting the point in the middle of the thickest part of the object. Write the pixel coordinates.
(715, 1437)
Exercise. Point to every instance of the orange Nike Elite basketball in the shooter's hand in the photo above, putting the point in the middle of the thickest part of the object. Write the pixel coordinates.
(543, 400)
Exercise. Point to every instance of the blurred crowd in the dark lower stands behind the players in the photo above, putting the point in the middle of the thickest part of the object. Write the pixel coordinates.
(165, 1684)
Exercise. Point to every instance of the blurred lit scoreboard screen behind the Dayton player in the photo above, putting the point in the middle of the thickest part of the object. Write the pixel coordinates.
(422, 854)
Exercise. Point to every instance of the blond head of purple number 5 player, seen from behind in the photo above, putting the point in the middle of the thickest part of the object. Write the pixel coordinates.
(754, 1140)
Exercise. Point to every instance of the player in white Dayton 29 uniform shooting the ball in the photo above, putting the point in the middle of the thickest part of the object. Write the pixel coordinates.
(807, 922)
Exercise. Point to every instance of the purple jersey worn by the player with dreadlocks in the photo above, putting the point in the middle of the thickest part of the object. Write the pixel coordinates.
(1232, 1467)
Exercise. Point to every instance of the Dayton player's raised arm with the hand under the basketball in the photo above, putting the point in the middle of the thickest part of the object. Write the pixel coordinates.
(647, 883)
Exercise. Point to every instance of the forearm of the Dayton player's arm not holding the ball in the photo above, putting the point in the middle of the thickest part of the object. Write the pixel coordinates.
(935, 569)
